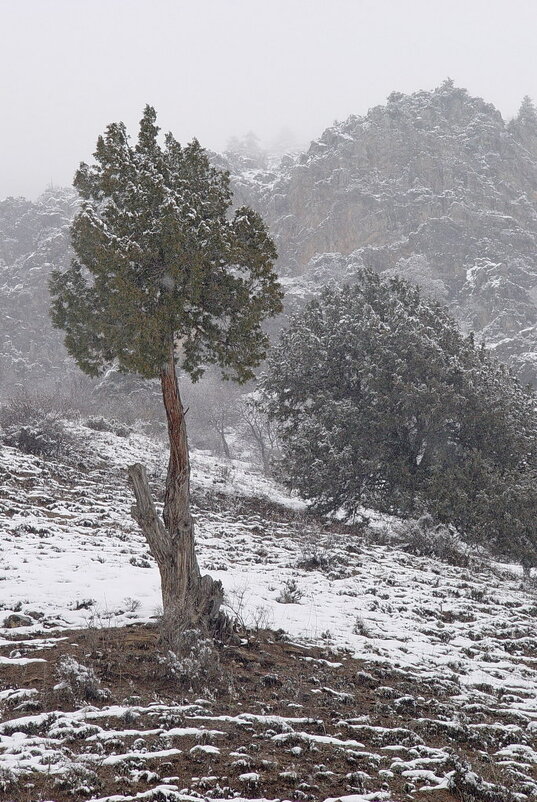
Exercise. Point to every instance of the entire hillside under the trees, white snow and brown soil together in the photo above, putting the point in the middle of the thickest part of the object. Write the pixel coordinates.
(395, 677)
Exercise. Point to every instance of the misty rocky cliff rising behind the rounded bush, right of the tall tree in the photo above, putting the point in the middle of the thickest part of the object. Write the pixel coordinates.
(434, 186)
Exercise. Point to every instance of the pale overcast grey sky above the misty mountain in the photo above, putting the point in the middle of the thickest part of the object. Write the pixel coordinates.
(218, 68)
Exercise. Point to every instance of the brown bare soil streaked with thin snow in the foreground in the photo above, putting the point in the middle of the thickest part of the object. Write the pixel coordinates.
(266, 715)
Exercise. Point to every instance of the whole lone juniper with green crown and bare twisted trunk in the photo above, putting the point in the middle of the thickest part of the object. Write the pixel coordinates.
(163, 274)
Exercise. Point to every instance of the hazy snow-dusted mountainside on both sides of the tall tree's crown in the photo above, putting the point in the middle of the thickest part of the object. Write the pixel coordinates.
(433, 186)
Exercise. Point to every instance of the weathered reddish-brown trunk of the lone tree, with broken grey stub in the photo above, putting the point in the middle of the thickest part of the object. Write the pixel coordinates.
(192, 599)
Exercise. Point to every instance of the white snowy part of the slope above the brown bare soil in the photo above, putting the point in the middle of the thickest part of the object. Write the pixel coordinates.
(72, 558)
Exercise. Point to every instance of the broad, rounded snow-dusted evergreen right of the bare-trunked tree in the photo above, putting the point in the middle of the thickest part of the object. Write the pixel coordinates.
(382, 401)
